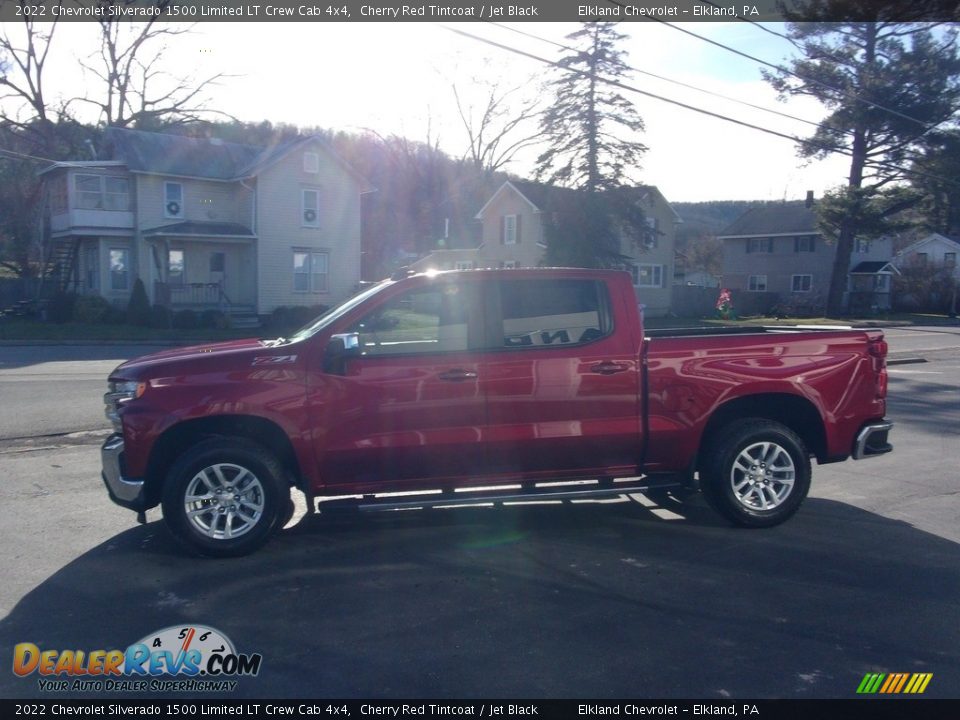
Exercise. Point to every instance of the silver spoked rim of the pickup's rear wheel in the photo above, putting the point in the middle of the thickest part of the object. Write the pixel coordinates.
(762, 476)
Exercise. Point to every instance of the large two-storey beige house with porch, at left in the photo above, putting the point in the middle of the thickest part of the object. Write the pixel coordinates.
(208, 224)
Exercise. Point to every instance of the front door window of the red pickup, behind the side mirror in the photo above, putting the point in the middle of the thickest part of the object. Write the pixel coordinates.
(424, 320)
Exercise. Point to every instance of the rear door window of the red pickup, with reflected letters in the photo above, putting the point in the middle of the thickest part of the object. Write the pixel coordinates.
(551, 312)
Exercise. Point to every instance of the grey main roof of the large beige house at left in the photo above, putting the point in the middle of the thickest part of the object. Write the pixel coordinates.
(177, 155)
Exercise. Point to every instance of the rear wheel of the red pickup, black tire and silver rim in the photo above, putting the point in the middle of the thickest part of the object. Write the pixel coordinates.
(755, 472)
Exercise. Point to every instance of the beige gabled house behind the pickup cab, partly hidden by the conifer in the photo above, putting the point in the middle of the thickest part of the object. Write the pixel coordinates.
(514, 236)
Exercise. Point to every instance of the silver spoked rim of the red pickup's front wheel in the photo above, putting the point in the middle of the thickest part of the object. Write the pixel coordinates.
(224, 501)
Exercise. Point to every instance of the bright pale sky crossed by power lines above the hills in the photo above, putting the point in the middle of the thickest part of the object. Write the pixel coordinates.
(397, 78)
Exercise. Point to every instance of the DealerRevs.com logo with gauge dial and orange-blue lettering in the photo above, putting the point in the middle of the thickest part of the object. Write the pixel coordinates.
(178, 658)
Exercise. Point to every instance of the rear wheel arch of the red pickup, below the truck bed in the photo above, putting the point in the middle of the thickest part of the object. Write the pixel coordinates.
(792, 411)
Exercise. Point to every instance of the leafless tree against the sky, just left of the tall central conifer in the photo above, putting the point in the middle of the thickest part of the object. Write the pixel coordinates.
(497, 131)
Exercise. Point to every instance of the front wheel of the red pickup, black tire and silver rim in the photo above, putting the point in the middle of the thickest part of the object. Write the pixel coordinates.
(237, 495)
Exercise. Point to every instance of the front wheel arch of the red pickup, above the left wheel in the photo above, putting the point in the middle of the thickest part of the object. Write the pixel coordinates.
(179, 437)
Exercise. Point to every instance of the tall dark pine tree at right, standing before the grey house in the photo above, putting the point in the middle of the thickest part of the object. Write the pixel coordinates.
(887, 79)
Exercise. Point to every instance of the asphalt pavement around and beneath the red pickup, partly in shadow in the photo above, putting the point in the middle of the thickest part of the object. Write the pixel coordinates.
(627, 599)
